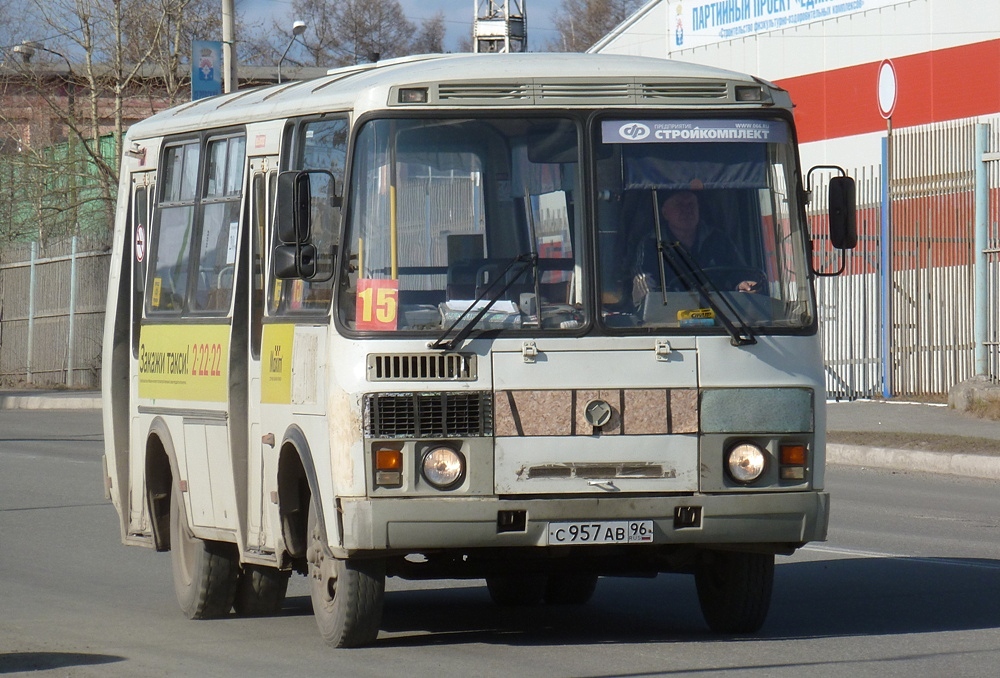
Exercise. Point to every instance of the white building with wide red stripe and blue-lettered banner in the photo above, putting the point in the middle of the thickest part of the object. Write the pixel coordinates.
(827, 54)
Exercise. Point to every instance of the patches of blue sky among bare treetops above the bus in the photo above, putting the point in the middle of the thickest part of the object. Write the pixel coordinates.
(458, 16)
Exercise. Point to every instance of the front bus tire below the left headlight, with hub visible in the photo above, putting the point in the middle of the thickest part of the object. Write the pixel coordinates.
(347, 595)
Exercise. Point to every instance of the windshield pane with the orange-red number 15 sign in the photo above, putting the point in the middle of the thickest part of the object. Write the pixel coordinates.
(449, 215)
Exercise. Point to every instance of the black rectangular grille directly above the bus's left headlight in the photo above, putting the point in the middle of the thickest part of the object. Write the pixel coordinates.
(451, 414)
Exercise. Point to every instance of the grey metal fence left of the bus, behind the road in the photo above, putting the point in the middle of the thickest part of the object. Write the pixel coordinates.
(52, 300)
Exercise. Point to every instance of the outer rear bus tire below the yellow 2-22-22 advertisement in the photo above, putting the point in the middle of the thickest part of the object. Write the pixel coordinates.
(205, 572)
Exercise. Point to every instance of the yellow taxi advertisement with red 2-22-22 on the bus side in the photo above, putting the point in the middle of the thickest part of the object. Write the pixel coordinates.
(184, 362)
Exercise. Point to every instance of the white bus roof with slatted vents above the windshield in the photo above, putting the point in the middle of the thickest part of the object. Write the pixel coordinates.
(531, 80)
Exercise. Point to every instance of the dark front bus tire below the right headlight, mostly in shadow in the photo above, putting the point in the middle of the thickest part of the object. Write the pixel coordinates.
(734, 590)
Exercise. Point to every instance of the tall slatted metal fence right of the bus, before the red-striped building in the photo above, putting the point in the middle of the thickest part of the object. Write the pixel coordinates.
(916, 311)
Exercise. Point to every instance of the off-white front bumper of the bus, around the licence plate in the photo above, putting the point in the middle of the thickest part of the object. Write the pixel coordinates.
(420, 524)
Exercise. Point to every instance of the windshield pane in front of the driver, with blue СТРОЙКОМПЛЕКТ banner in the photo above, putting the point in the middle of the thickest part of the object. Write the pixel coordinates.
(698, 226)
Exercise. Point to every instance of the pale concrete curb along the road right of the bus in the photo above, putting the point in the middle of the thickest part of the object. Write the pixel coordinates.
(965, 465)
